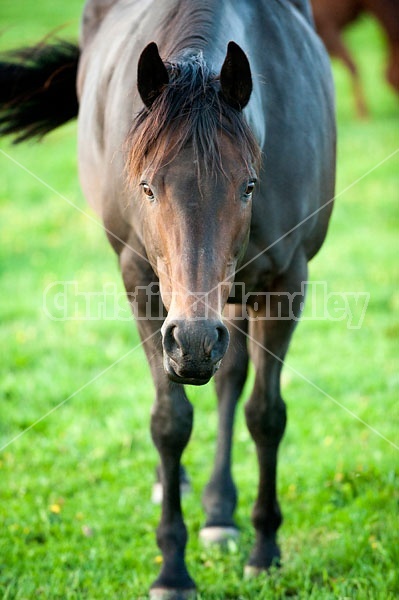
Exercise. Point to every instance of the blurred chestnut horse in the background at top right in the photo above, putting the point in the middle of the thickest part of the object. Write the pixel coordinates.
(332, 16)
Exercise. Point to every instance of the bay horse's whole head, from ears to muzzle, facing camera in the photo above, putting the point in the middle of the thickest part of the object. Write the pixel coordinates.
(194, 163)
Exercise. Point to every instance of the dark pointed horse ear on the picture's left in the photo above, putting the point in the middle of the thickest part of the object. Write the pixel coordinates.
(151, 74)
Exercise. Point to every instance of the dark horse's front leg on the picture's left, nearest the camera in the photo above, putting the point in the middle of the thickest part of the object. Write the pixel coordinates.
(171, 424)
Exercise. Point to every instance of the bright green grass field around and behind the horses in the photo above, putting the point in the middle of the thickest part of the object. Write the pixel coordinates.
(76, 460)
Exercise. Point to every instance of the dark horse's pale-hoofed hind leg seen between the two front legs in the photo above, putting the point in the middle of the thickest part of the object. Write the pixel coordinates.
(220, 495)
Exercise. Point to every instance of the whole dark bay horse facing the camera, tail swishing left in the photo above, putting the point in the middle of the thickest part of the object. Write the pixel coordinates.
(207, 145)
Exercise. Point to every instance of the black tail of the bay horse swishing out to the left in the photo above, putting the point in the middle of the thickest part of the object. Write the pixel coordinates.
(38, 89)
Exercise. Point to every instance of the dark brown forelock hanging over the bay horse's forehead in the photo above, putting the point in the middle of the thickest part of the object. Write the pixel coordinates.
(190, 109)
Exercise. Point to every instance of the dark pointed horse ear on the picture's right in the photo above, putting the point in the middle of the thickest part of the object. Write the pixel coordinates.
(235, 77)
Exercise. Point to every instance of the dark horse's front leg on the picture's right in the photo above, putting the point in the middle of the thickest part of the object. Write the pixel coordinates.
(265, 410)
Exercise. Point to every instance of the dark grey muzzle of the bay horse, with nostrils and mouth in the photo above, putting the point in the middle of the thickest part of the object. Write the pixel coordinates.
(193, 349)
